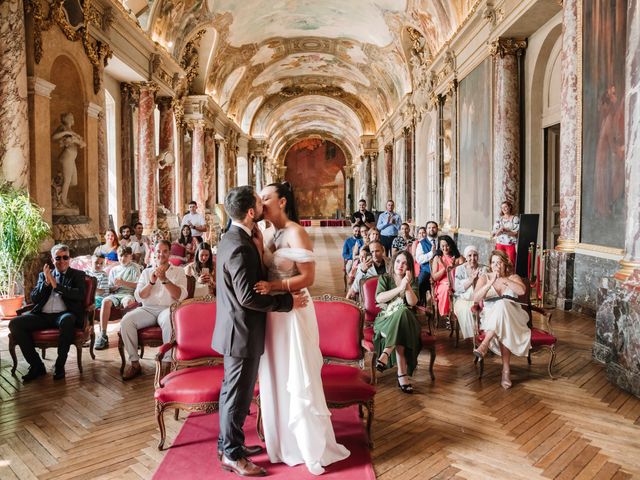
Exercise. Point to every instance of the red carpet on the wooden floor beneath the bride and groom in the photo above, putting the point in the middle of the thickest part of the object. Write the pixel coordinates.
(193, 453)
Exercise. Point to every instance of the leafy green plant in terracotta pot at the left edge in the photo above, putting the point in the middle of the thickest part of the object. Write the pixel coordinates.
(22, 230)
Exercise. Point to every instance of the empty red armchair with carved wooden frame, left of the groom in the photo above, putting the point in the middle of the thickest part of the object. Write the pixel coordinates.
(197, 370)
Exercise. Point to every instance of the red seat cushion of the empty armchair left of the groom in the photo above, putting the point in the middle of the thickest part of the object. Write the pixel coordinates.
(192, 385)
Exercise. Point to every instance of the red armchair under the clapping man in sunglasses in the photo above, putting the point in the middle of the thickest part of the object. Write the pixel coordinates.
(48, 338)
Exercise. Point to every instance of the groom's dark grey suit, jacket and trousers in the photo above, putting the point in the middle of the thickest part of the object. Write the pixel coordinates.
(239, 332)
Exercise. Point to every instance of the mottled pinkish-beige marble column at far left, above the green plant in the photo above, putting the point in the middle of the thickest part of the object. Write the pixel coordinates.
(14, 117)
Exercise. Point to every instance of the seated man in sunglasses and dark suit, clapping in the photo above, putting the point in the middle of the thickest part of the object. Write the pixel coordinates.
(58, 297)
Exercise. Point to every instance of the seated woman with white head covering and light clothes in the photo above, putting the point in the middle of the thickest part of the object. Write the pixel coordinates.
(466, 277)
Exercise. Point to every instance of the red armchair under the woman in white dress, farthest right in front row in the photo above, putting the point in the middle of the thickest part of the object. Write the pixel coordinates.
(542, 339)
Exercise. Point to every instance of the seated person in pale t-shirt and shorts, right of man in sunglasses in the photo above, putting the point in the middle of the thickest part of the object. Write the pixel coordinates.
(123, 280)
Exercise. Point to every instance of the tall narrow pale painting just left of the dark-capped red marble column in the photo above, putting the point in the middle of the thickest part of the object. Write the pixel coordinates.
(475, 148)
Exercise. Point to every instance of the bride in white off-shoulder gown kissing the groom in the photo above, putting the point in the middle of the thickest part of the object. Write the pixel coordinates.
(296, 420)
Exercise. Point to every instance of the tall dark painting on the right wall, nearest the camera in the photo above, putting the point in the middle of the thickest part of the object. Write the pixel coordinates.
(603, 89)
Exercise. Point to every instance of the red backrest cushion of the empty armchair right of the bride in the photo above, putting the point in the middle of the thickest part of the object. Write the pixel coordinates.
(339, 328)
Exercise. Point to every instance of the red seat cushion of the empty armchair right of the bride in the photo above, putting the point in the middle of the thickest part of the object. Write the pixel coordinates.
(344, 384)
